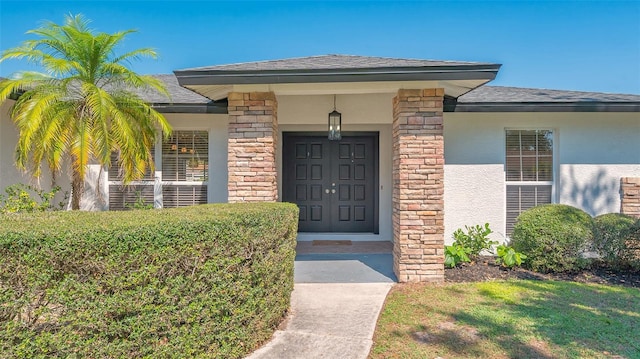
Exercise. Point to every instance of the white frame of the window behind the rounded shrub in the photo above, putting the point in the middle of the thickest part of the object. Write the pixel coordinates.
(554, 167)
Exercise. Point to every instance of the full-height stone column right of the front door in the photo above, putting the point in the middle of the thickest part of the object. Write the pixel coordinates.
(418, 185)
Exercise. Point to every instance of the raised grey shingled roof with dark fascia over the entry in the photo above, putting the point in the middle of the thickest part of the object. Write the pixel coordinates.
(336, 68)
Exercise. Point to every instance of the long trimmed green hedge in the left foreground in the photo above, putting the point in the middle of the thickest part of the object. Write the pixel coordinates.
(203, 281)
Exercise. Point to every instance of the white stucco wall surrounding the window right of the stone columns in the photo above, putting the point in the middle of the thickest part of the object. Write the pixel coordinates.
(591, 152)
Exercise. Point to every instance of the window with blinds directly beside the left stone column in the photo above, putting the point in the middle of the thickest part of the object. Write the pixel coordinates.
(185, 168)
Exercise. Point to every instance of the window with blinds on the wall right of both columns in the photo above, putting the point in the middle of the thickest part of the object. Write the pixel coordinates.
(529, 171)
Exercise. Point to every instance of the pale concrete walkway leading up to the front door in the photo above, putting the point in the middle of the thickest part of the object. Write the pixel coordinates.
(335, 304)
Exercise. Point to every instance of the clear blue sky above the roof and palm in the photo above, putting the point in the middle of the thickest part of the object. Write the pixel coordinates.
(569, 45)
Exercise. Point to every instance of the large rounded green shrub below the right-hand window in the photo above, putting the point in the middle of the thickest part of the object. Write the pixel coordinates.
(553, 237)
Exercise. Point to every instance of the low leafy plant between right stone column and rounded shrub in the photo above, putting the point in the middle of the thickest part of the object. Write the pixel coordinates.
(468, 245)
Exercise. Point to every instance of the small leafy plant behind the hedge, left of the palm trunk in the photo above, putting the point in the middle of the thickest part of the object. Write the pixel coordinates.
(19, 198)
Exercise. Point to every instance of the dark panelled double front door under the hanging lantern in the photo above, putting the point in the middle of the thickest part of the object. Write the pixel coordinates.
(334, 183)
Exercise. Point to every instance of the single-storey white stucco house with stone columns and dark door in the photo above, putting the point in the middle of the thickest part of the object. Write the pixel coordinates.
(425, 147)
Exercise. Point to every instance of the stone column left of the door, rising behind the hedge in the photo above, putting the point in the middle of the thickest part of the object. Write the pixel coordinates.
(253, 132)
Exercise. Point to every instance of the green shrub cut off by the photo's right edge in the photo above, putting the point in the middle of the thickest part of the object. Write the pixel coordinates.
(616, 238)
